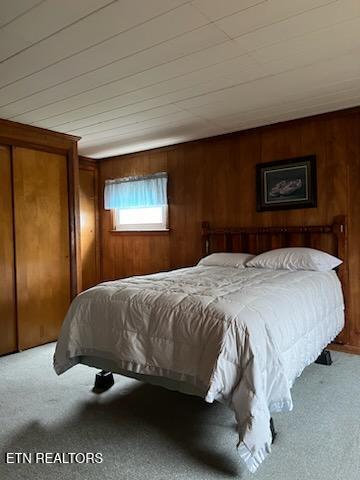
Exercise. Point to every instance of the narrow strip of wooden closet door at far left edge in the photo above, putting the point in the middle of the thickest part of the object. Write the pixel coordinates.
(8, 342)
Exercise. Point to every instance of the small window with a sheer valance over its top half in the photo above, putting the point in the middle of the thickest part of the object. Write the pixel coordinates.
(138, 203)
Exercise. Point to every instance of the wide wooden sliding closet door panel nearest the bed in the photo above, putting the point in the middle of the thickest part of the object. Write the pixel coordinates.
(42, 244)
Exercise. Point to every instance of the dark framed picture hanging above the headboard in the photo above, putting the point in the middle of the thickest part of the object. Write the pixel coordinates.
(286, 184)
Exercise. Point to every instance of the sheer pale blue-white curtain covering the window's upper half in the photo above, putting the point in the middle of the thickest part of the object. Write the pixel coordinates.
(136, 192)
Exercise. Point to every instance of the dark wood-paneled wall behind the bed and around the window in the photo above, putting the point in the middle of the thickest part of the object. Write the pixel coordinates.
(214, 180)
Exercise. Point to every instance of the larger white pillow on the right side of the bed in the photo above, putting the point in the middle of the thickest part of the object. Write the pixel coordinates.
(297, 258)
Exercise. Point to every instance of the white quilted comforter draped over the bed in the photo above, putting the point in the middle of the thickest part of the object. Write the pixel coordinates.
(241, 336)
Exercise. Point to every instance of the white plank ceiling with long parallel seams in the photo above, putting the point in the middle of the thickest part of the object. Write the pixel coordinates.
(128, 75)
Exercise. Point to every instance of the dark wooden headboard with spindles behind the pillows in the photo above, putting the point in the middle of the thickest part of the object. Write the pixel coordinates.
(329, 238)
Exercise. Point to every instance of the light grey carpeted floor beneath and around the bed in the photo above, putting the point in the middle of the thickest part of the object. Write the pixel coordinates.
(149, 433)
